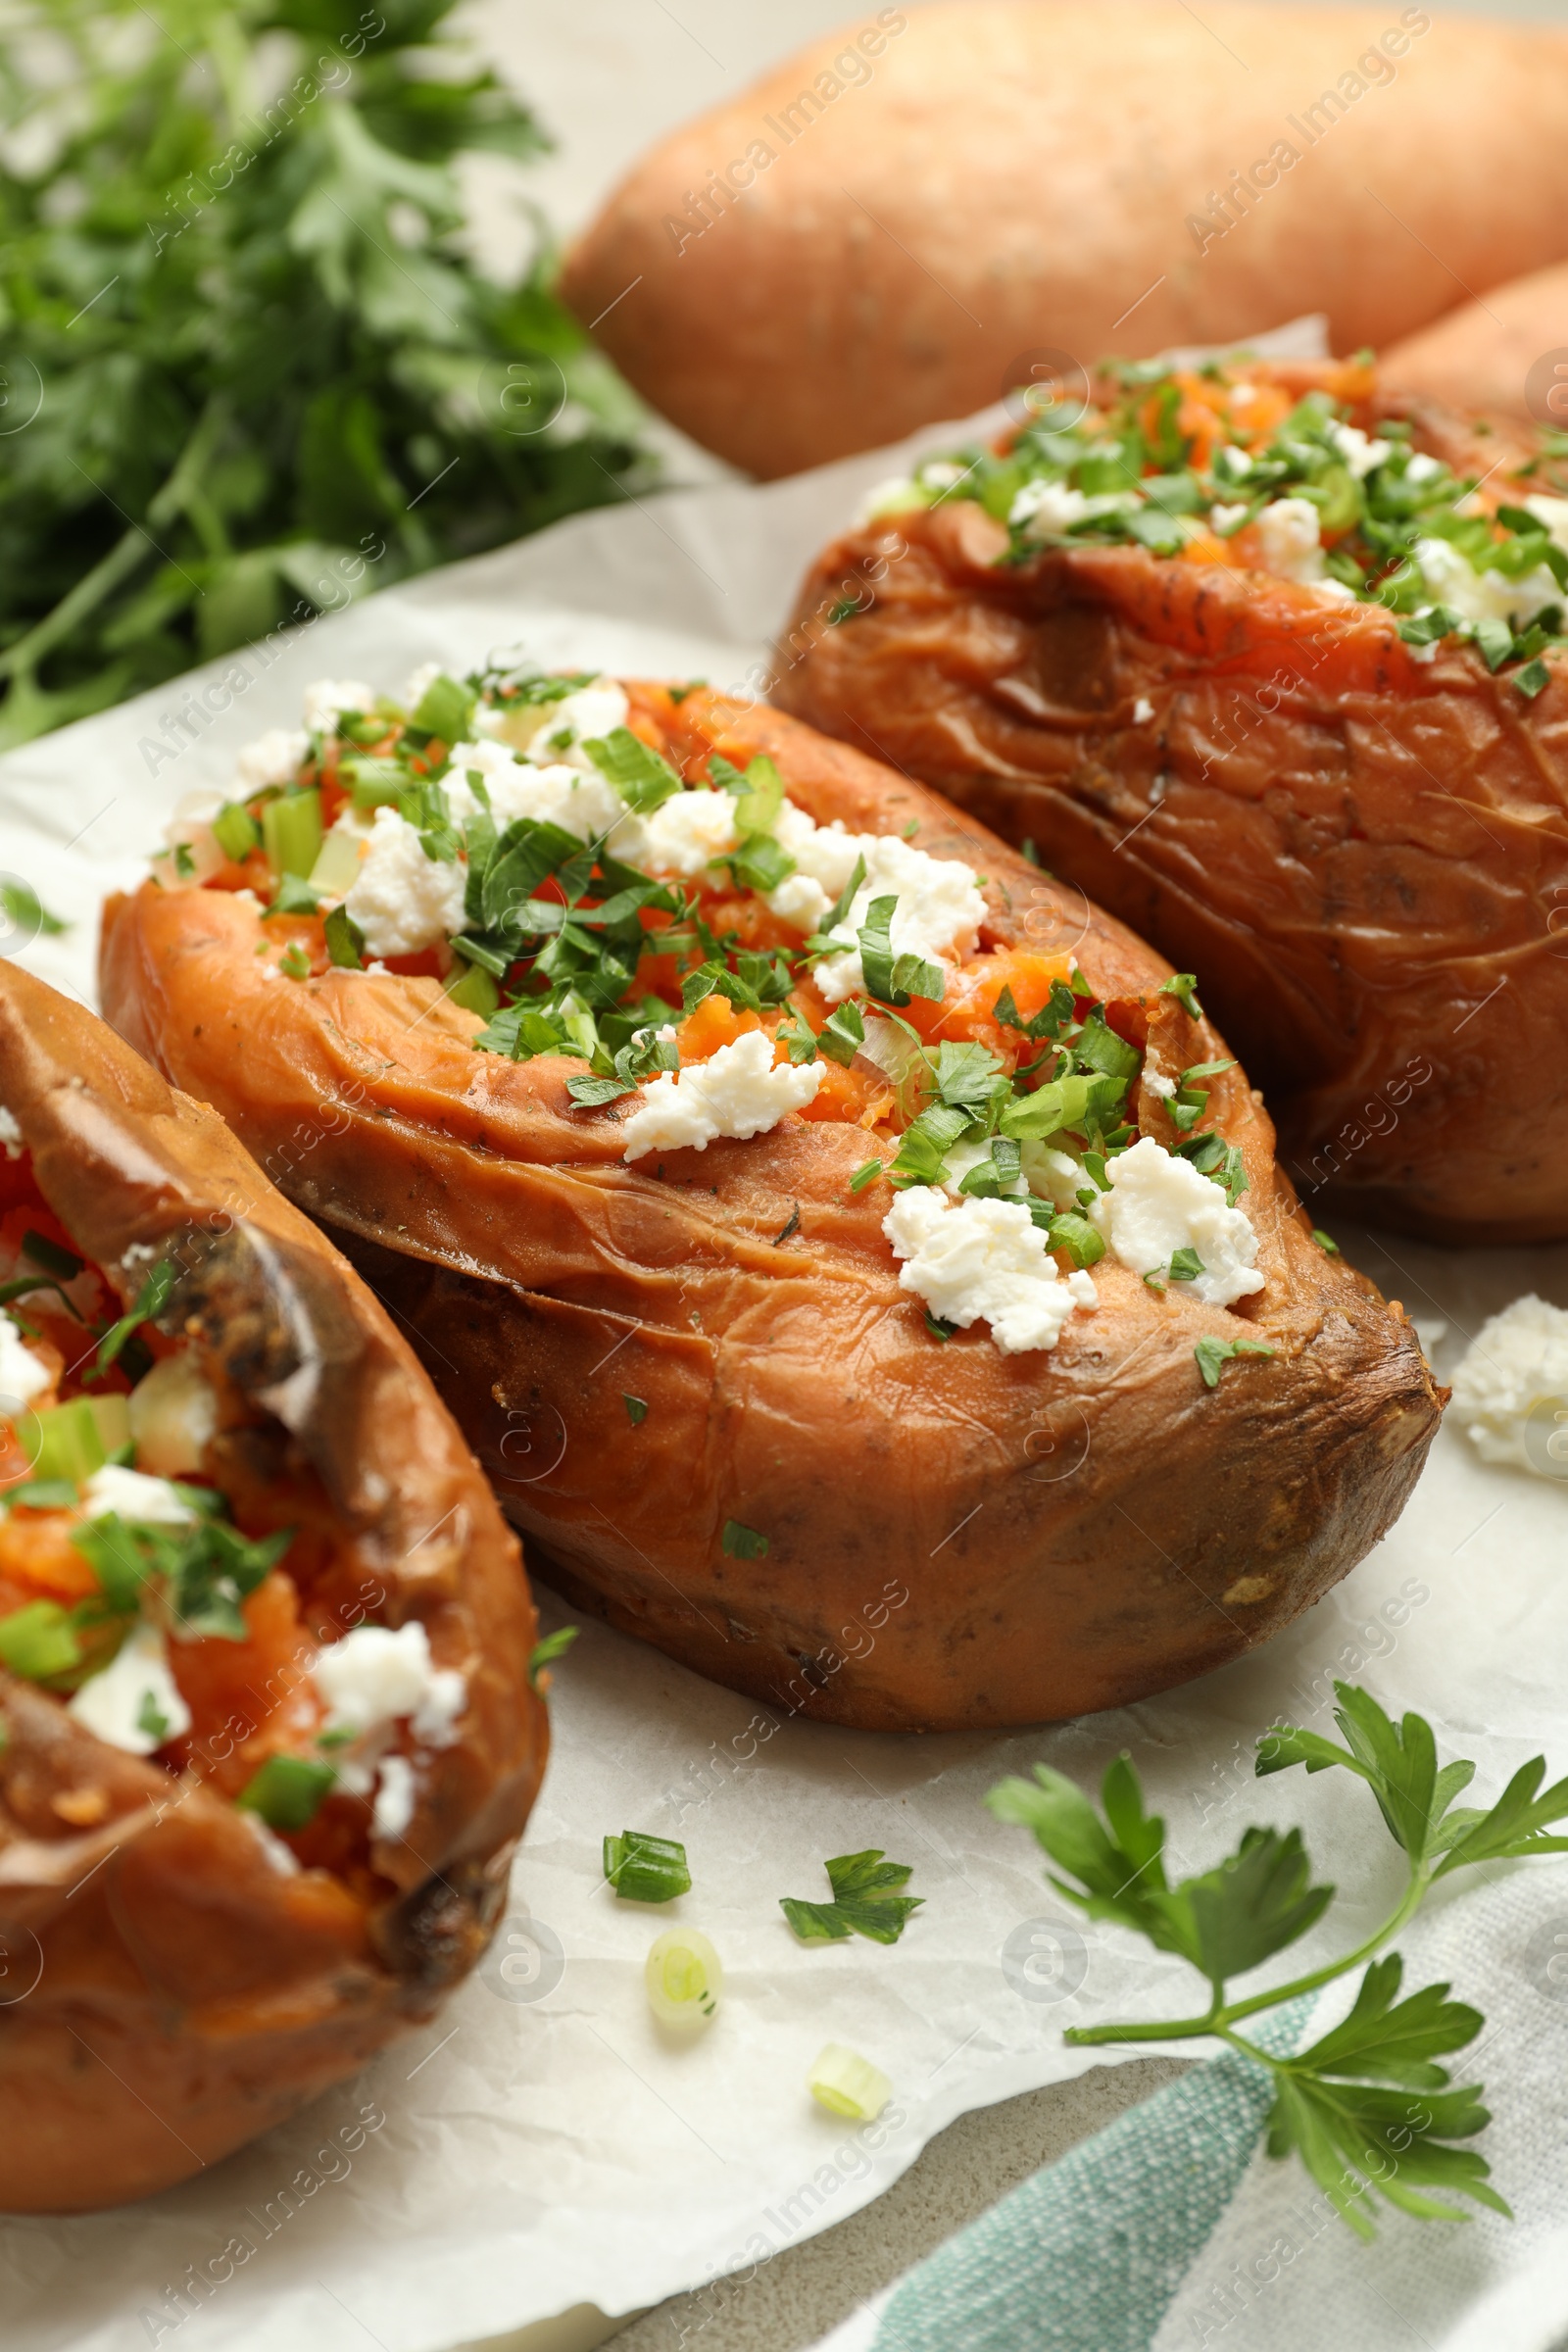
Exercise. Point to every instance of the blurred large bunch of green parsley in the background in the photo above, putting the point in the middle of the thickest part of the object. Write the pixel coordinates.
(248, 366)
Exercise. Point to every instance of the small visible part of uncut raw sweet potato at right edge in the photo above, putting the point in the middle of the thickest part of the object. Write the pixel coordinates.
(1487, 356)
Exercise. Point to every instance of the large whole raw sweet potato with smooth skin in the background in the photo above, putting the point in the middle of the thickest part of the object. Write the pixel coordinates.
(1003, 182)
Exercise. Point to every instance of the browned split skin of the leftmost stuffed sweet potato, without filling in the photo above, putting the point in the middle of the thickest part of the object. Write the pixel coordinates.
(189, 1993)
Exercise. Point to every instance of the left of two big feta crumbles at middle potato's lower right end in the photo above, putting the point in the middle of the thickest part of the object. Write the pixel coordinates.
(984, 1262)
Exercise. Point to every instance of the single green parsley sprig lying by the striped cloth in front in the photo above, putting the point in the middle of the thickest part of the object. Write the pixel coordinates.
(1367, 2106)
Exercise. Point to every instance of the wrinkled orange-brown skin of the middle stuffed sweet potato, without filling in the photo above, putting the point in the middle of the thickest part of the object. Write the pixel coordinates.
(956, 1537)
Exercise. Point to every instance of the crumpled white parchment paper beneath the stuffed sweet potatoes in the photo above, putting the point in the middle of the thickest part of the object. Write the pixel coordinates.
(544, 2146)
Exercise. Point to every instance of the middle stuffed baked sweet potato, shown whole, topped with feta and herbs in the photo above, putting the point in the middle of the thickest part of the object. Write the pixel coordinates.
(857, 1262)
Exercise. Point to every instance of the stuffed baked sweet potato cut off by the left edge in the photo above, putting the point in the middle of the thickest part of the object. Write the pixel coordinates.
(264, 1643)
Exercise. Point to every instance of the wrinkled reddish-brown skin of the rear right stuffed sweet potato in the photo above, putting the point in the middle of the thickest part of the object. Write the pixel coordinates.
(1365, 857)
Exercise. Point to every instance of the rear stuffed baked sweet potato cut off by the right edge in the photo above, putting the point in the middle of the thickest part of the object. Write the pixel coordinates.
(1249, 660)
